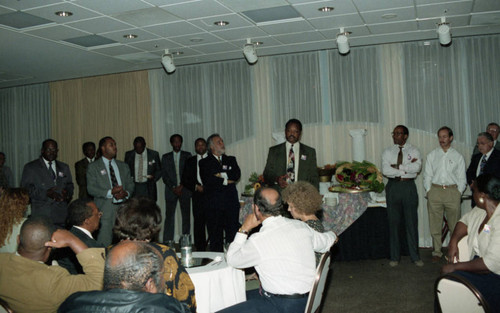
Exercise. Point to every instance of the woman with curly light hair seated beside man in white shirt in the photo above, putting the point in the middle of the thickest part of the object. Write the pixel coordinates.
(304, 202)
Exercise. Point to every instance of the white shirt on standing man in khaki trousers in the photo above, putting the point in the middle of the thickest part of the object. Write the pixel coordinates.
(445, 168)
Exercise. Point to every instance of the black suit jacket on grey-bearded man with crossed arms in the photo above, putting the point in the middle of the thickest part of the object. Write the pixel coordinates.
(217, 194)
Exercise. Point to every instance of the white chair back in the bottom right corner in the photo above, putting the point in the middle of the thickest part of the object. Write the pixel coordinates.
(455, 294)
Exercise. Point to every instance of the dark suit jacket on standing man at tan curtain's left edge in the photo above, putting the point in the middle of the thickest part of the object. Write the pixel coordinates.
(37, 179)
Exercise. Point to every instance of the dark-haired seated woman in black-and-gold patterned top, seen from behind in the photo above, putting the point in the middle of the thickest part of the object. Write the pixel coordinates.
(140, 219)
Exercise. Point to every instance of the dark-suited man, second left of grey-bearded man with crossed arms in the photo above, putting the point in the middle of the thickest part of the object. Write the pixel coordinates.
(172, 164)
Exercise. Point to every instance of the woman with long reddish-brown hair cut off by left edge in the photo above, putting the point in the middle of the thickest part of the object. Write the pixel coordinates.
(13, 205)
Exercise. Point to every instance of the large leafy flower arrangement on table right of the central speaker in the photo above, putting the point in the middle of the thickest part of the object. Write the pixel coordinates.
(359, 175)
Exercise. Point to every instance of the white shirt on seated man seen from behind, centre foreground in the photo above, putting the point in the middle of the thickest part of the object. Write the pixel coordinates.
(282, 253)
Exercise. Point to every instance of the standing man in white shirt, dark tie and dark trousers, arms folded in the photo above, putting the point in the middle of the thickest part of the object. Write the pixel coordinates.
(401, 163)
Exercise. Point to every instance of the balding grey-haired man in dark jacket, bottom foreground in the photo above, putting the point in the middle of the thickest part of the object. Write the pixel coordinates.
(133, 282)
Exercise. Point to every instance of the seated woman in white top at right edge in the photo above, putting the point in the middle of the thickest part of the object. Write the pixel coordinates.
(482, 224)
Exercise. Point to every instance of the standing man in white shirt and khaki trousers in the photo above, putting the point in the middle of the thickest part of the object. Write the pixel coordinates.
(444, 182)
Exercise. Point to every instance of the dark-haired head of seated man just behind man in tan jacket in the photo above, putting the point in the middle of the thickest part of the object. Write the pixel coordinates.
(84, 213)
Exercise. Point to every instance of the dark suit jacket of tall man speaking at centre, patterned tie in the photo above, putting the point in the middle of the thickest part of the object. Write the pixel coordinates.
(277, 162)
